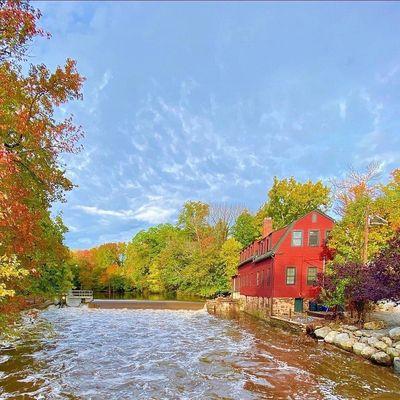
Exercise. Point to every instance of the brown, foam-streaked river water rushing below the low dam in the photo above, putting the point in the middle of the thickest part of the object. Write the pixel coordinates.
(142, 354)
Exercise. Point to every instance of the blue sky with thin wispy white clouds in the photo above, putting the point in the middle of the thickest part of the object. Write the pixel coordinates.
(209, 101)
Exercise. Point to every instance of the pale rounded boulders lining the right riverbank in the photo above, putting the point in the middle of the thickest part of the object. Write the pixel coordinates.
(381, 346)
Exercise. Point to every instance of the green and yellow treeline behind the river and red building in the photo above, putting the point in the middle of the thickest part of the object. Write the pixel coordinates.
(200, 253)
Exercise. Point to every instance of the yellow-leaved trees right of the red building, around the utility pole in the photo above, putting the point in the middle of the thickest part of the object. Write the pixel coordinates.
(358, 197)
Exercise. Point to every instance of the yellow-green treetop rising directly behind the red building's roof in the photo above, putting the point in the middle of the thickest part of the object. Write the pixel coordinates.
(289, 199)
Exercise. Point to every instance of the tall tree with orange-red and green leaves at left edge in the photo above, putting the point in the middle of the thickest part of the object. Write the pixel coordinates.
(32, 139)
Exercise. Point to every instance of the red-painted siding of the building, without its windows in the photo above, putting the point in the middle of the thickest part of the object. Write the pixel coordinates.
(286, 255)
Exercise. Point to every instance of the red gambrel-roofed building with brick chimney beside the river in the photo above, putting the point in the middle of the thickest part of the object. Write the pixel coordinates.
(283, 265)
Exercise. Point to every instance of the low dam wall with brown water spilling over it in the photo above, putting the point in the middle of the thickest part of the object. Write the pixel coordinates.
(148, 304)
